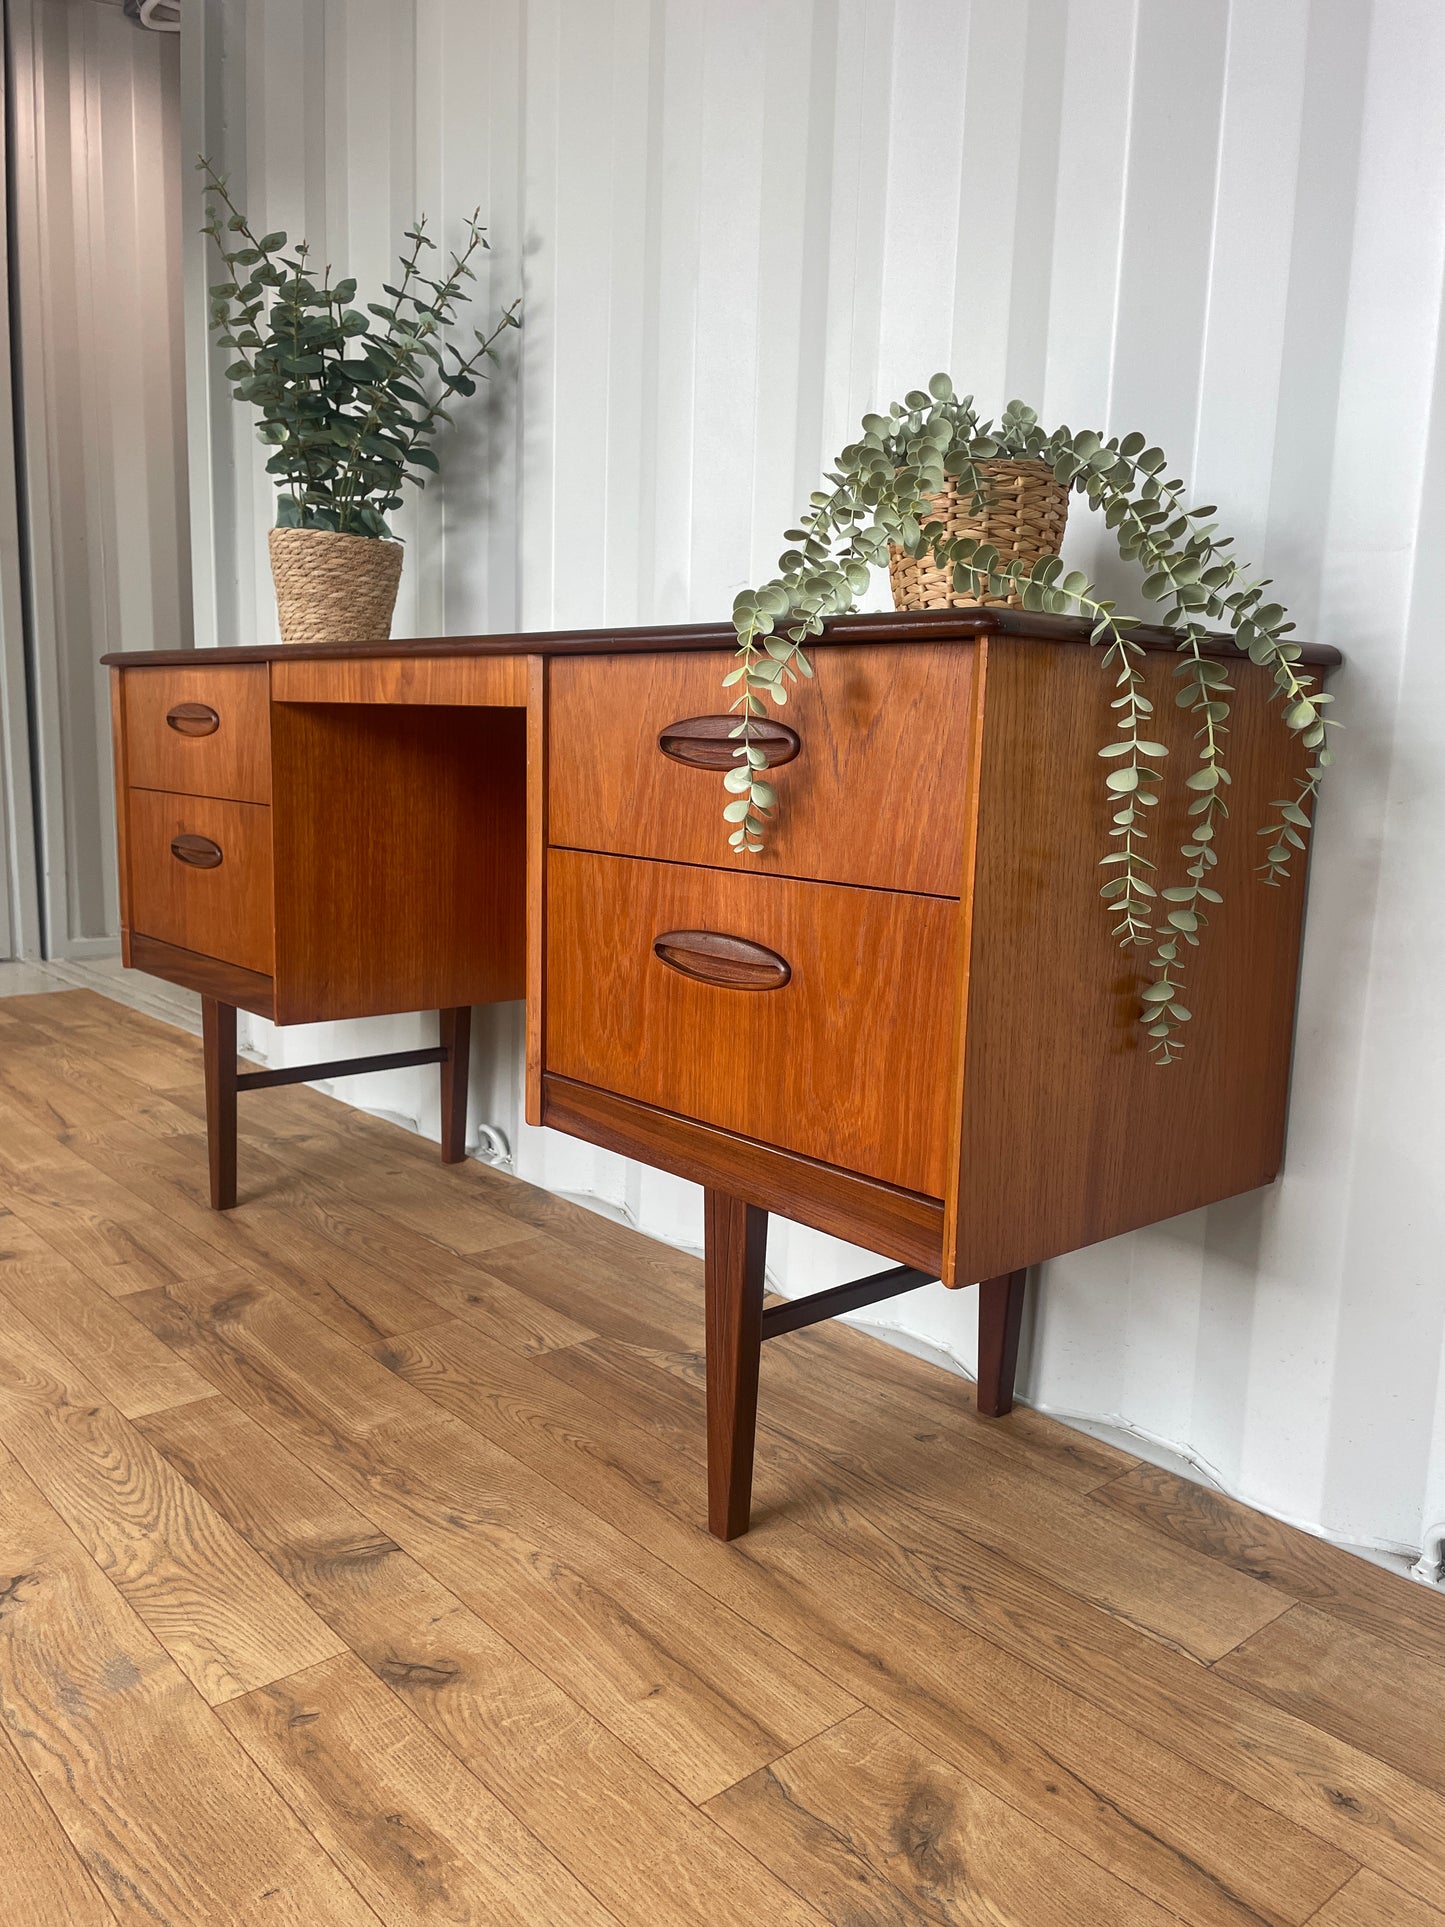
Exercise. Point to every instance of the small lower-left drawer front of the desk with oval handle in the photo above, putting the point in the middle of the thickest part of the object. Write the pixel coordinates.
(201, 876)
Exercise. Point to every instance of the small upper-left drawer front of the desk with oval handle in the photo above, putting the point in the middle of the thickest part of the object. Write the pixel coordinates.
(199, 731)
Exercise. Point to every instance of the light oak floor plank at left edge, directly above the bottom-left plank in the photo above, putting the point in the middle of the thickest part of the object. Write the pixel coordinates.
(199, 1589)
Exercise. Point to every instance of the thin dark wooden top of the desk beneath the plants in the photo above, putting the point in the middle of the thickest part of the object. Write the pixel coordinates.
(891, 627)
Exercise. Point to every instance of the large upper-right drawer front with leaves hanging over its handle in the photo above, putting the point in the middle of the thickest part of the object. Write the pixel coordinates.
(874, 795)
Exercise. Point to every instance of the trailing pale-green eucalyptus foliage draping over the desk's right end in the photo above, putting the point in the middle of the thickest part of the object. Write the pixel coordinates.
(881, 492)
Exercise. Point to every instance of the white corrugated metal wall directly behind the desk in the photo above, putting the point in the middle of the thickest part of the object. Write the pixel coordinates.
(743, 223)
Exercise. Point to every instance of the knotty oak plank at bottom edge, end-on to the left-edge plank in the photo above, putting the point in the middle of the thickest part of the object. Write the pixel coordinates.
(400, 1814)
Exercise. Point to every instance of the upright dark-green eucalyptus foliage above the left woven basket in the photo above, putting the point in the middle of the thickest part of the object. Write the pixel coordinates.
(342, 394)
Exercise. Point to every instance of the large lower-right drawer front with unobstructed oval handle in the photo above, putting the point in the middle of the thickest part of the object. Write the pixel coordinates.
(802, 1015)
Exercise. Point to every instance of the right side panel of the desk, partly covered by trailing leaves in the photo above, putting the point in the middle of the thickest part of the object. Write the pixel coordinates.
(1070, 1132)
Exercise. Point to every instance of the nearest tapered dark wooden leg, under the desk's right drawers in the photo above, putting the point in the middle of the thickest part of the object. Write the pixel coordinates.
(735, 1248)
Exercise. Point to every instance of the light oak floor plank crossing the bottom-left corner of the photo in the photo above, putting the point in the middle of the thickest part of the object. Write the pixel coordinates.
(167, 1812)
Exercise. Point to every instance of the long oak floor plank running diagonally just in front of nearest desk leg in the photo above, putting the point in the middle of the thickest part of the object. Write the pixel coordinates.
(1045, 1751)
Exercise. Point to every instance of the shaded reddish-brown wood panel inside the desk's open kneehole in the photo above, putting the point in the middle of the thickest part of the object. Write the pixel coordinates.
(400, 858)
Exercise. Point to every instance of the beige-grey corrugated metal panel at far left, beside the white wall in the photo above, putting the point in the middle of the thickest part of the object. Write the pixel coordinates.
(103, 402)
